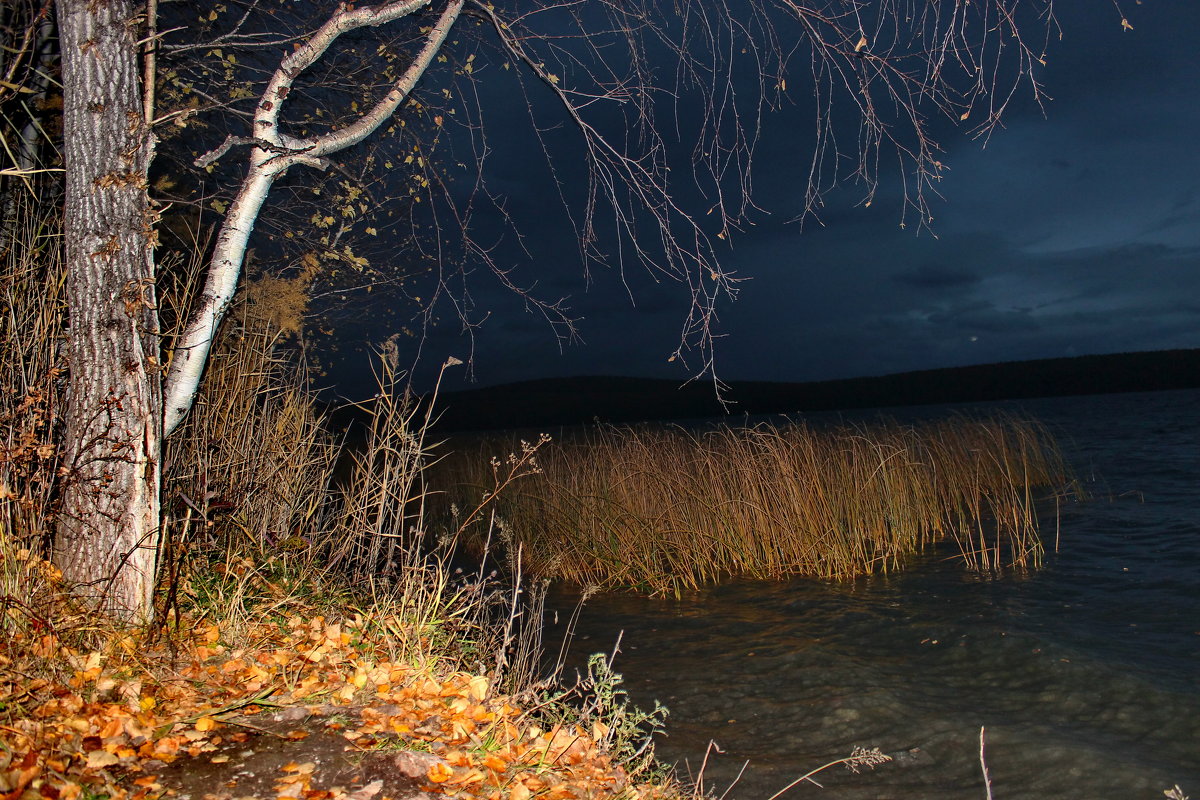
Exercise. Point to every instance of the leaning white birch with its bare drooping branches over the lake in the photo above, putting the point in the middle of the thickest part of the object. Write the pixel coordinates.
(877, 77)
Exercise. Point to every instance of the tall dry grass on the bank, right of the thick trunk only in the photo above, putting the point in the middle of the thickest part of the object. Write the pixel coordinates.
(259, 527)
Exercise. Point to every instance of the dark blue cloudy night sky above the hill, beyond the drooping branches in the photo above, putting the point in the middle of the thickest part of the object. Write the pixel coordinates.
(1069, 234)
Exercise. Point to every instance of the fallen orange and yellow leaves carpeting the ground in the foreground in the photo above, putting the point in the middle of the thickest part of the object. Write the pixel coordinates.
(307, 709)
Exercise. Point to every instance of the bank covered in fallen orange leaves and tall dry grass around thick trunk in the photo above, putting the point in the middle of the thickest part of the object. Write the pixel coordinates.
(315, 628)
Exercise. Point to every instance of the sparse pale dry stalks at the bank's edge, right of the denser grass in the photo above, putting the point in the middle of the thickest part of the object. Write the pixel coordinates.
(377, 536)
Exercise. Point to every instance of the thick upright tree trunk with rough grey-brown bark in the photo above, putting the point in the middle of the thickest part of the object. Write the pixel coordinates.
(107, 533)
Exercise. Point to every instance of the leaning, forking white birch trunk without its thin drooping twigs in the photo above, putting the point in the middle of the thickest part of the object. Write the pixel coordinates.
(273, 155)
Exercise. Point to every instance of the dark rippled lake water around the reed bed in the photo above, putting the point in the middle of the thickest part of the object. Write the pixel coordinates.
(1087, 673)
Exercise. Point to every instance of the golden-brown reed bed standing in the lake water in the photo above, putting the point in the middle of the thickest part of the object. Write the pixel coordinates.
(664, 509)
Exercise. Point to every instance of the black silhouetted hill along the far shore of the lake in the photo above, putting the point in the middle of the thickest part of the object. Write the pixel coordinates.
(555, 402)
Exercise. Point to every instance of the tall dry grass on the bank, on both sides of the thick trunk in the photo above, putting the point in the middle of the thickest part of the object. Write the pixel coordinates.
(254, 525)
